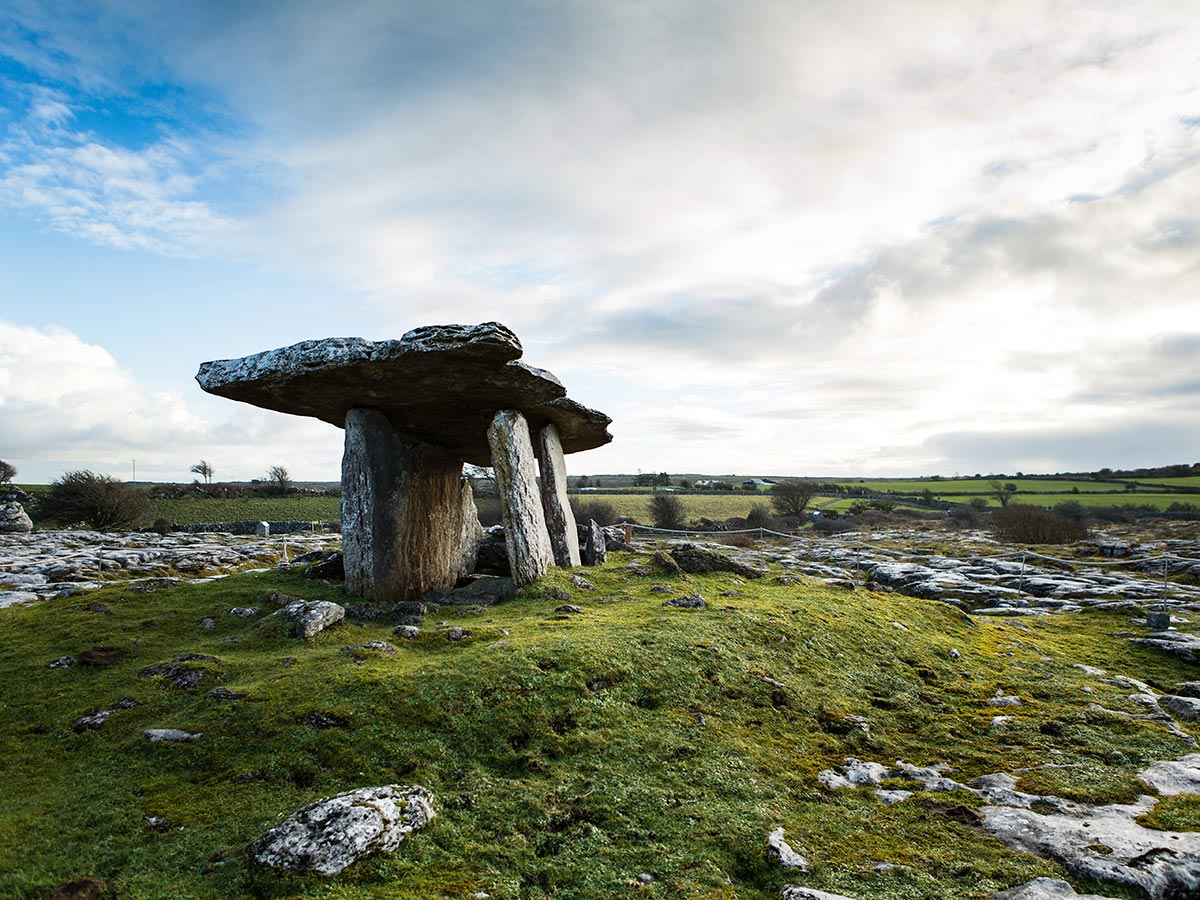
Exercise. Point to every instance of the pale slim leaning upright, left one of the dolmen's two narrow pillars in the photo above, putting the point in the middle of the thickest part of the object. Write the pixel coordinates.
(517, 477)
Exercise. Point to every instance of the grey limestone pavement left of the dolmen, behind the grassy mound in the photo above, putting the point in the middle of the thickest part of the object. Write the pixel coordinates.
(49, 565)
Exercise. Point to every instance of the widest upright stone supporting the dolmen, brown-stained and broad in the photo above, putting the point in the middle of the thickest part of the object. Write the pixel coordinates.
(403, 513)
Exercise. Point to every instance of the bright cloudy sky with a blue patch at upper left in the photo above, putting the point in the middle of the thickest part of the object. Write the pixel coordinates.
(790, 238)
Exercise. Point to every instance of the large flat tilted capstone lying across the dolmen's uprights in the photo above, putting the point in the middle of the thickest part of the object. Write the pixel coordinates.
(439, 385)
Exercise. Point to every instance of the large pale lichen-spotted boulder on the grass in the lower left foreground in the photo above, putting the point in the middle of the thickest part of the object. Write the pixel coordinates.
(332, 835)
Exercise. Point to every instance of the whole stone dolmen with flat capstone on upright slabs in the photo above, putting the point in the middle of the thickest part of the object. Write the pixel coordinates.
(415, 411)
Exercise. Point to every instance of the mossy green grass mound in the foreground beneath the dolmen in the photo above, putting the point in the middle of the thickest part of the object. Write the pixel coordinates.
(568, 753)
